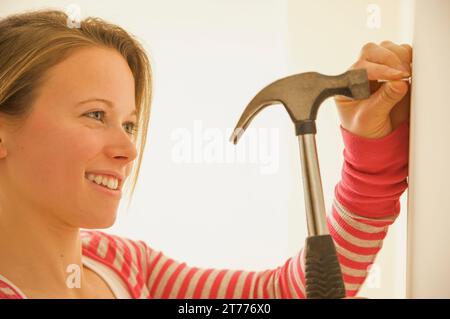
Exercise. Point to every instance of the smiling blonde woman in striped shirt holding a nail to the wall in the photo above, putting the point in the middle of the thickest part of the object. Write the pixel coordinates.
(74, 107)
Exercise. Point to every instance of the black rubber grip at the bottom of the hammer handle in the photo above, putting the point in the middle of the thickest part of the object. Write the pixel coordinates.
(323, 276)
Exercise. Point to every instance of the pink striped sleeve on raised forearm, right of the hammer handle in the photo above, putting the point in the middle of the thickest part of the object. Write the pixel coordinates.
(366, 201)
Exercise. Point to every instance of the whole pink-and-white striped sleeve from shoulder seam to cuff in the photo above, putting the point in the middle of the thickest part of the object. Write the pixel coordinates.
(366, 202)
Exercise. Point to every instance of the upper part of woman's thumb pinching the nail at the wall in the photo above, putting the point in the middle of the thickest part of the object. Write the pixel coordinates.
(389, 94)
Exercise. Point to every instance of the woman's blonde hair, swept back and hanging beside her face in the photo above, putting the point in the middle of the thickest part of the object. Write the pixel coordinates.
(32, 42)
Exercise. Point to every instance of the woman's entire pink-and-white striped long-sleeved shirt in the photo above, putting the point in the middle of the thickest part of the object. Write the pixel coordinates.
(366, 202)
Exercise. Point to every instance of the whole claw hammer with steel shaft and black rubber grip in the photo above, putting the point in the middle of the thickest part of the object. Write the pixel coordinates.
(301, 95)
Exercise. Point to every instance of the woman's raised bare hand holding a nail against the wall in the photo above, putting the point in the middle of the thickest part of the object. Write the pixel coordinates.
(389, 103)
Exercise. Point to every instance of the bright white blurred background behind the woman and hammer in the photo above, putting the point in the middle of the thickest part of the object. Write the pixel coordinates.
(202, 200)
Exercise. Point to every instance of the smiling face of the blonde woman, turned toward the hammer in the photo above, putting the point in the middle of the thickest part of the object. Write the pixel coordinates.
(68, 136)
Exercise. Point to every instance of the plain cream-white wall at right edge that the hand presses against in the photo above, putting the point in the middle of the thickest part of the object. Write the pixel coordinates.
(428, 210)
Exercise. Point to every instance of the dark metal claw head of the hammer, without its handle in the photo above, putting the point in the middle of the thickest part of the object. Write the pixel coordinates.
(301, 94)
